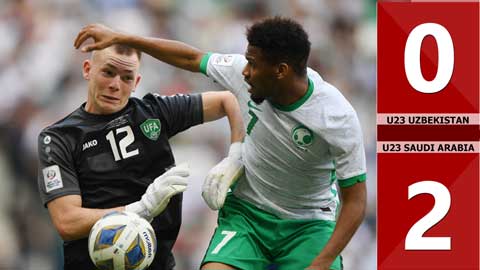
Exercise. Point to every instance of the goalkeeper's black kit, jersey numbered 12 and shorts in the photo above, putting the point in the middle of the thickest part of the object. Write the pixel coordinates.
(109, 160)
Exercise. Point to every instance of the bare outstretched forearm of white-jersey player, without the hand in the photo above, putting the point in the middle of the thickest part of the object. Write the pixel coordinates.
(173, 52)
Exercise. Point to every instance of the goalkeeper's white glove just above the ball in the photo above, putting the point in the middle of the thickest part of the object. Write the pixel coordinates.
(158, 193)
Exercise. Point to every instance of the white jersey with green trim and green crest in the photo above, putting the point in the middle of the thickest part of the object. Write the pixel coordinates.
(293, 154)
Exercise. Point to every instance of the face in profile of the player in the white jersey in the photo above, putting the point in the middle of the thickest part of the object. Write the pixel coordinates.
(259, 74)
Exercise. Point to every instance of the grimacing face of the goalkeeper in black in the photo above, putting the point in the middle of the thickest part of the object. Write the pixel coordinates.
(111, 79)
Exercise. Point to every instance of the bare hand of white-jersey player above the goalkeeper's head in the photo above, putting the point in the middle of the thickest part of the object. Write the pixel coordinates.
(102, 36)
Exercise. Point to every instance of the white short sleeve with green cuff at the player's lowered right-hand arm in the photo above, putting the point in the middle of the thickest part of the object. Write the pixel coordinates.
(346, 145)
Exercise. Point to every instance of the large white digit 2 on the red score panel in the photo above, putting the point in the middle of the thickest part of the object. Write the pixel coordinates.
(415, 239)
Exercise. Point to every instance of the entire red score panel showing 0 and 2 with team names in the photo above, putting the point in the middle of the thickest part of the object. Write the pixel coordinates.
(428, 159)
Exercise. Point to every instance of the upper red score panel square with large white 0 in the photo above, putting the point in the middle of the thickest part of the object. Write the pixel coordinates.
(428, 57)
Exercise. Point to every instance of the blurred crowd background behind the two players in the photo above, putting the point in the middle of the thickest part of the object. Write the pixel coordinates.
(40, 76)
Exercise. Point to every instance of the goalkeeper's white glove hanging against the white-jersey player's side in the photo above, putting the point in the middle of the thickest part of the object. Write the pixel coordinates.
(222, 176)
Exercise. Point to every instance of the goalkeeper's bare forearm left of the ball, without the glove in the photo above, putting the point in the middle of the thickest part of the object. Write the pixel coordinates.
(78, 223)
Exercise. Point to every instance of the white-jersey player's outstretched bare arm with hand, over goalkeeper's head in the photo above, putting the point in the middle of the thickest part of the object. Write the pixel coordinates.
(171, 52)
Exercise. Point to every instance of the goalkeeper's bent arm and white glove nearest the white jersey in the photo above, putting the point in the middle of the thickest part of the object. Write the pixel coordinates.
(225, 173)
